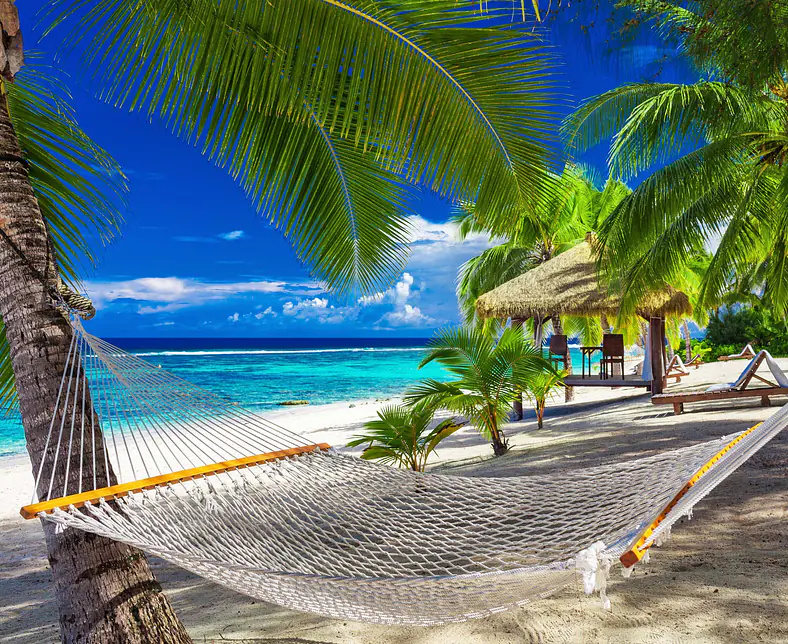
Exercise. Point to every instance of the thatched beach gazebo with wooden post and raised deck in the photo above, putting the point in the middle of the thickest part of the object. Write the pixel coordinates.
(569, 284)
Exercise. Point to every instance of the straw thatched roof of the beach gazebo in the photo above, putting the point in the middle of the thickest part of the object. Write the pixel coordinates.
(568, 284)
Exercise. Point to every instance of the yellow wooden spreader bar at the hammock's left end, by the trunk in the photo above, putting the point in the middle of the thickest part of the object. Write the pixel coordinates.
(115, 491)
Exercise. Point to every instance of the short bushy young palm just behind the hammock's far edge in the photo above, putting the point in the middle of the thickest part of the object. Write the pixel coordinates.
(401, 435)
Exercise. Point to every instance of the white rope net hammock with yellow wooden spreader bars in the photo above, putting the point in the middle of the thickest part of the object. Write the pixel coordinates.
(139, 455)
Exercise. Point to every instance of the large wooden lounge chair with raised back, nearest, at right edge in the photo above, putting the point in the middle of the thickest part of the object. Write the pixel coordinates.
(738, 389)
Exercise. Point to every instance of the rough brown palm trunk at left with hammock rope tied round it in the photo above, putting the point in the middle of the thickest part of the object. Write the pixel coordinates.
(105, 589)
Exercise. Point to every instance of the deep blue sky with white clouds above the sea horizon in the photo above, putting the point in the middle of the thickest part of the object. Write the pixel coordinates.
(195, 260)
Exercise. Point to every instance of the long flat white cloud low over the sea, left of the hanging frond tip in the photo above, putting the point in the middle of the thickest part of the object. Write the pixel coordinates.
(172, 293)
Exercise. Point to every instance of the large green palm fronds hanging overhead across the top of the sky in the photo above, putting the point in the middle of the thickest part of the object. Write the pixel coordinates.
(428, 91)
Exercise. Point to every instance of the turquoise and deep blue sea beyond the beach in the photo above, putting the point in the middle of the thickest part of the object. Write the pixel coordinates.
(260, 373)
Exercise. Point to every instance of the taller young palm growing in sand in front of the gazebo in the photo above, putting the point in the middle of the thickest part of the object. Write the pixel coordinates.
(489, 375)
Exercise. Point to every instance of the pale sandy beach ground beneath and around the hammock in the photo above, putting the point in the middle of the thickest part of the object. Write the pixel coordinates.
(722, 577)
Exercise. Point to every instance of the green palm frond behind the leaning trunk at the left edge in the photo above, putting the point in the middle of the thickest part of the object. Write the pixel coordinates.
(79, 187)
